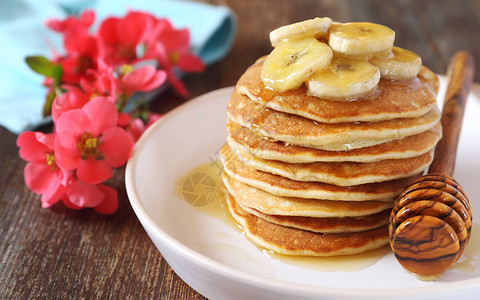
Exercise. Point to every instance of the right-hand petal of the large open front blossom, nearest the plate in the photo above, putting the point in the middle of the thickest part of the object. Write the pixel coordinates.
(116, 146)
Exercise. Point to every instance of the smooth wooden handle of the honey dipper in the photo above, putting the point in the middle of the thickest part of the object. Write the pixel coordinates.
(460, 76)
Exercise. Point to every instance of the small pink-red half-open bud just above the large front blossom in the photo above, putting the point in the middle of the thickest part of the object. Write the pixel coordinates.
(72, 98)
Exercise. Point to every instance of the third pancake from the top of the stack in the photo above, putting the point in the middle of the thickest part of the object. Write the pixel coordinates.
(245, 140)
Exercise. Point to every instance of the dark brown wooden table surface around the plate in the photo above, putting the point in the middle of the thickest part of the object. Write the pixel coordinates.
(58, 253)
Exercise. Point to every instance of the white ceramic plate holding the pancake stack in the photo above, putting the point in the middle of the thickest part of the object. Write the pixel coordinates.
(220, 263)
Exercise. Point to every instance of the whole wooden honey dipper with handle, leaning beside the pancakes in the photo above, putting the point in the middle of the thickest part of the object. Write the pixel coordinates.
(431, 220)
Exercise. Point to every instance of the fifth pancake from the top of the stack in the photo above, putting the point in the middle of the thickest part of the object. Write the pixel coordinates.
(282, 186)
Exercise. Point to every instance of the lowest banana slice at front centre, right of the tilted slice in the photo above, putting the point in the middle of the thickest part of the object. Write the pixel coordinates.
(345, 79)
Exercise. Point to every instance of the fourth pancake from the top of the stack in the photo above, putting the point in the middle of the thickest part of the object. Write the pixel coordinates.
(341, 173)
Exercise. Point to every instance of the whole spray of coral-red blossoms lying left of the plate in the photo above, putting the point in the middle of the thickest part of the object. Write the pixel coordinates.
(97, 79)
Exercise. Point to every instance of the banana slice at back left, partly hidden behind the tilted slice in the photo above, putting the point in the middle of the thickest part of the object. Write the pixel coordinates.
(314, 28)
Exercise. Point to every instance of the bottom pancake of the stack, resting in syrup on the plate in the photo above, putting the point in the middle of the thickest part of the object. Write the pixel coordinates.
(291, 241)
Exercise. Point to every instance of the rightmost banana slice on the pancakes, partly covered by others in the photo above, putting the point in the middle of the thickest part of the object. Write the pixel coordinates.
(402, 64)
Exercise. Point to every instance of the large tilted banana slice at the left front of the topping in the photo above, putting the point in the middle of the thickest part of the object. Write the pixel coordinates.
(293, 61)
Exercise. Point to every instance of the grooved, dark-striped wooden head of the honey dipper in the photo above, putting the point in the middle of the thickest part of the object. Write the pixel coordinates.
(430, 225)
